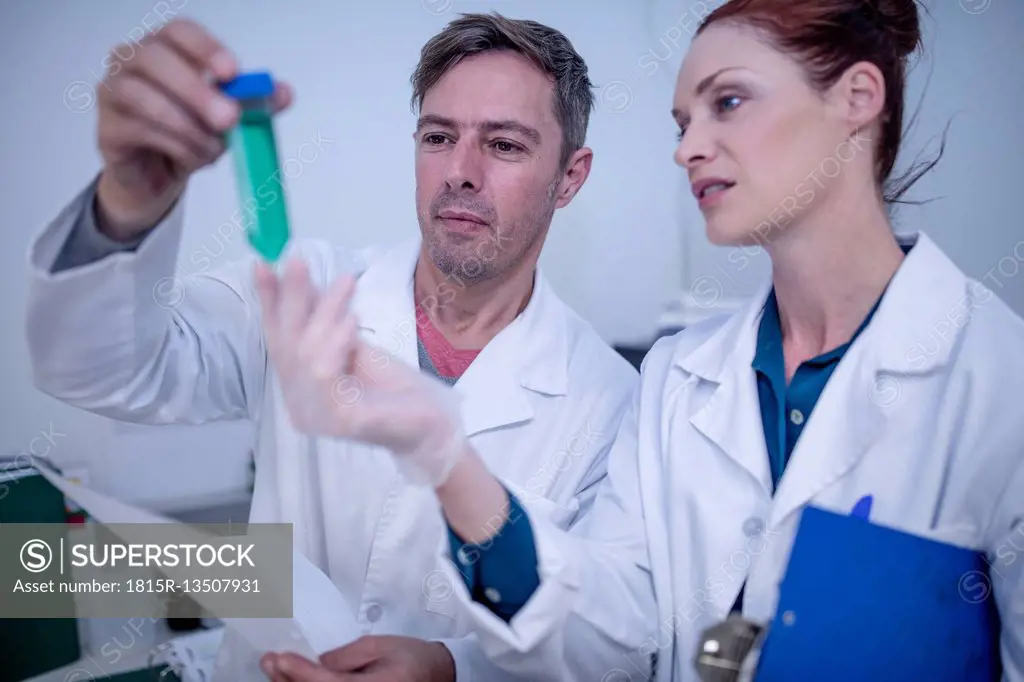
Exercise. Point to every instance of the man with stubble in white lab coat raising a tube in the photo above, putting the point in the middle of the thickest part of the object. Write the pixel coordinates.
(504, 107)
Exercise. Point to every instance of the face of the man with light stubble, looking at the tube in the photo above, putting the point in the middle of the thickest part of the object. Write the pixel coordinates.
(488, 176)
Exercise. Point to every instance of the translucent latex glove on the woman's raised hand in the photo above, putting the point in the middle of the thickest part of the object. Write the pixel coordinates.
(337, 386)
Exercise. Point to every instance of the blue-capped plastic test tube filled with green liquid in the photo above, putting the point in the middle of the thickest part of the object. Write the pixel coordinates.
(254, 149)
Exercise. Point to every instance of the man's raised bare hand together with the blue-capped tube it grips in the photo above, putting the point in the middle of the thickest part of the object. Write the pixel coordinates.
(167, 112)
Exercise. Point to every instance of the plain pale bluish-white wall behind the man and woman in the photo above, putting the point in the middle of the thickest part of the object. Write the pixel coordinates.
(631, 243)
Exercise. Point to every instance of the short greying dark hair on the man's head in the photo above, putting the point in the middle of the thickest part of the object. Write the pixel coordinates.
(549, 50)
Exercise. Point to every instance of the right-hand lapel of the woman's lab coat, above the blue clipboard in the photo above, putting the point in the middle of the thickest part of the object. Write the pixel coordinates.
(874, 380)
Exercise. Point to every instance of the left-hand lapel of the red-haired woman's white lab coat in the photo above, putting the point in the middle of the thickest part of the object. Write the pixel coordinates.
(732, 416)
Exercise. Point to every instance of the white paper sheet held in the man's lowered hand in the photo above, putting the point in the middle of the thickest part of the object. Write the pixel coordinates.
(323, 620)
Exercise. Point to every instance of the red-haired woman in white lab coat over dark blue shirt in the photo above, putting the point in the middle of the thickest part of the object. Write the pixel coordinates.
(868, 367)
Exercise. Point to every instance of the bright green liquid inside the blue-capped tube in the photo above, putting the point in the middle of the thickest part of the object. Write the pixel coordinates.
(261, 184)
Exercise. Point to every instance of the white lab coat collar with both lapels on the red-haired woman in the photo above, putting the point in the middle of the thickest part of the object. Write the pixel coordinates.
(927, 295)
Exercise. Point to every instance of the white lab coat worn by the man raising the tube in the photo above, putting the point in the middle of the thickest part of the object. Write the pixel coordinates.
(542, 404)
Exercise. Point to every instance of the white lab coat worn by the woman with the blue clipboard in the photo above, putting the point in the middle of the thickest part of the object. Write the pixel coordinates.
(926, 413)
